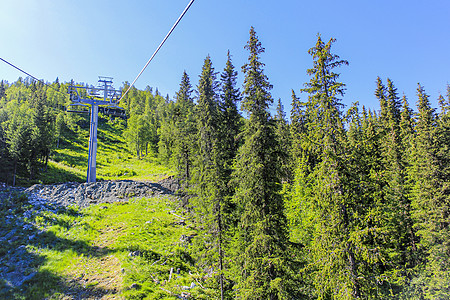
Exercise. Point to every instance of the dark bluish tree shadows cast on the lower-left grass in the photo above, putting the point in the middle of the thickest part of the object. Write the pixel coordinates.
(24, 265)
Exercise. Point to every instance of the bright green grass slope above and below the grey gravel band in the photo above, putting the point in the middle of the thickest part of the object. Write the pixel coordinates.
(112, 251)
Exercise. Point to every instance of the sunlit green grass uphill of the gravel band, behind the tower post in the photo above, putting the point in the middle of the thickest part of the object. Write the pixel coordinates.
(114, 161)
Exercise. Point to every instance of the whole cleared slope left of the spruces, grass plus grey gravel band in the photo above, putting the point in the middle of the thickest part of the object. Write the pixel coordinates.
(120, 237)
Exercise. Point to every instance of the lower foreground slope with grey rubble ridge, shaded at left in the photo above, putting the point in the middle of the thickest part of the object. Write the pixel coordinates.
(118, 247)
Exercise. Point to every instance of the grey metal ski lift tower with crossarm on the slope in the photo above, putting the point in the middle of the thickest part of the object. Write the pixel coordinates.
(103, 95)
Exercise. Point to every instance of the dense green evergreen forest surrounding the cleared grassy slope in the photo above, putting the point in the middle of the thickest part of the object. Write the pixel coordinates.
(335, 203)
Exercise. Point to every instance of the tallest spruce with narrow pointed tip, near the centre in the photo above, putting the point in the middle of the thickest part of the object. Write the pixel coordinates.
(262, 233)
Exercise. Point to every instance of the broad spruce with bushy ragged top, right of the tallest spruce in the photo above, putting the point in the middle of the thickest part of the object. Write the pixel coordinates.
(324, 192)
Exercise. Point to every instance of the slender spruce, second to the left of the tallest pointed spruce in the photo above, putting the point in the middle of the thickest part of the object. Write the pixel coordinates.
(206, 184)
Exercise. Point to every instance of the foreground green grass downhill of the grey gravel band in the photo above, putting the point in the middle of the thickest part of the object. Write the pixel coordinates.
(118, 251)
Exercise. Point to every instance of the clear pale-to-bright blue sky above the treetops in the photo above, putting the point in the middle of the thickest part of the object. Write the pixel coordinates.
(407, 41)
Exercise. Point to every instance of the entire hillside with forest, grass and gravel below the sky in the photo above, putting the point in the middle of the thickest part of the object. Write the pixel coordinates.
(335, 204)
